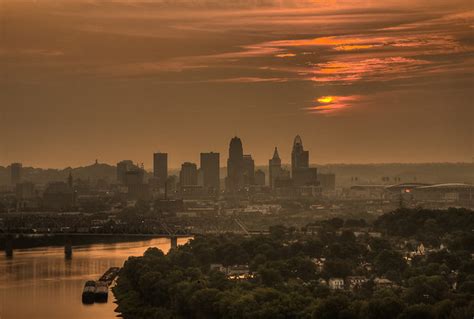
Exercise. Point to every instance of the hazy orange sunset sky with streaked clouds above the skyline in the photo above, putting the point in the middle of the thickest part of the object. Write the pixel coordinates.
(362, 81)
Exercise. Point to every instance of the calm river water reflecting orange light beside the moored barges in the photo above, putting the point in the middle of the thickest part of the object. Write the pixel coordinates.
(40, 283)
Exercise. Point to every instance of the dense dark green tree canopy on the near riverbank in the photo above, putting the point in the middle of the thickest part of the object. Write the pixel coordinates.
(288, 284)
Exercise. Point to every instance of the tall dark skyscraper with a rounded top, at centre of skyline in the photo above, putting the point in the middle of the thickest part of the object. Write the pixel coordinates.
(235, 166)
